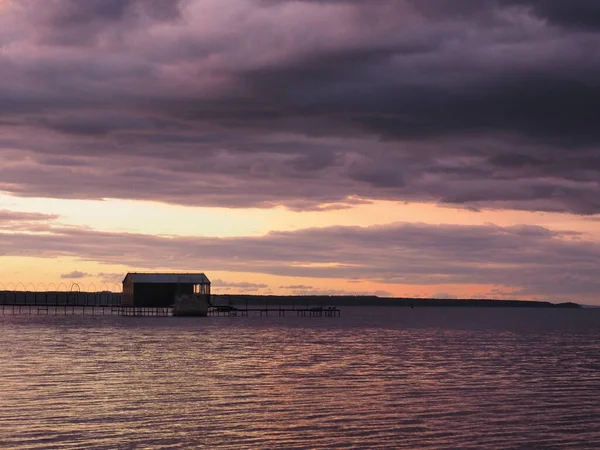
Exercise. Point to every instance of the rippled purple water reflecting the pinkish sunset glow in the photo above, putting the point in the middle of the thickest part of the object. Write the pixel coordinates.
(387, 378)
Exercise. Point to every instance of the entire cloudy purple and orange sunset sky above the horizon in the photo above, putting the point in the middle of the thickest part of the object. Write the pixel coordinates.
(422, 148)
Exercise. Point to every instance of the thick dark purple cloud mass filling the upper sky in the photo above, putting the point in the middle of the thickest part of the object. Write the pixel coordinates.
(486, 103)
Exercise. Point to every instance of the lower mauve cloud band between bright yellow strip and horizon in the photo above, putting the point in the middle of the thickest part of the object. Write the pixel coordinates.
(525, 260)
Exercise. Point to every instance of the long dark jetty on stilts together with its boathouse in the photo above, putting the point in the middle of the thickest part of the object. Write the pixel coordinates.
(151, 295)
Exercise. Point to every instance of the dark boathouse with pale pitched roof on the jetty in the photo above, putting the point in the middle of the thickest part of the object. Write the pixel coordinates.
(158, 290)
